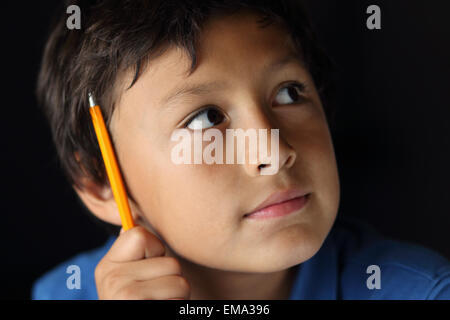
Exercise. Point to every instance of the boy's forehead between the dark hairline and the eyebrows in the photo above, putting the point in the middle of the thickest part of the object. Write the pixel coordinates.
(229, 48)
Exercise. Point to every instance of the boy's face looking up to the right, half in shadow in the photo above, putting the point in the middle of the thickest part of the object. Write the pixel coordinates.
(198, 209)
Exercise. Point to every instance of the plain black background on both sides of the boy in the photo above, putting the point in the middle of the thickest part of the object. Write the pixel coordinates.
(392, 136)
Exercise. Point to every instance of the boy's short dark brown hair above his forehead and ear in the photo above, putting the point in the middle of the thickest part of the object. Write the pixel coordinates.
(119, 35)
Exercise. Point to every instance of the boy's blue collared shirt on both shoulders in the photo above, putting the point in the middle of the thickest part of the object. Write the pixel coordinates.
(354, 262)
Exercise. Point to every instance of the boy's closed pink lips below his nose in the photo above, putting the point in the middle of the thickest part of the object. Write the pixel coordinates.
(280, 203)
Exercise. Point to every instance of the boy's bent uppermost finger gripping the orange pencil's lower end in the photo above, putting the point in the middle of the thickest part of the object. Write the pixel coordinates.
(135, 244)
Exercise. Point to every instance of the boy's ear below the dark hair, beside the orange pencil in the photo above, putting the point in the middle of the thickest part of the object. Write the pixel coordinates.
(99, 200)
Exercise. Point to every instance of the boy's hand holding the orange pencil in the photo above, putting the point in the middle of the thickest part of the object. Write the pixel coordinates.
(135, 268)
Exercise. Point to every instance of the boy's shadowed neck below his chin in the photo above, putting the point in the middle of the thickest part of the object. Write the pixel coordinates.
(208, 283)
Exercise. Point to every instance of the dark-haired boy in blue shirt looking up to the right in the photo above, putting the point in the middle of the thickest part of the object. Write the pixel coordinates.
(213, 231)
